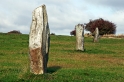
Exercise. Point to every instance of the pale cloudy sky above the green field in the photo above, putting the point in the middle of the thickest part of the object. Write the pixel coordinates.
(63, 15)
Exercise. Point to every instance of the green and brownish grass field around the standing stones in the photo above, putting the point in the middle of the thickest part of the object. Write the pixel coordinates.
(101, 62)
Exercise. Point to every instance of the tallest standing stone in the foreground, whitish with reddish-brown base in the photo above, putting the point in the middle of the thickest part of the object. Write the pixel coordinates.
(39, 41)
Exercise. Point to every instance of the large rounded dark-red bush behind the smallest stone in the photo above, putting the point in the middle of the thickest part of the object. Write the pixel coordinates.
(104, 26)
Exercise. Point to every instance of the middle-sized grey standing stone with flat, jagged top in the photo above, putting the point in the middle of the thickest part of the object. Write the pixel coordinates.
(79, 37)
